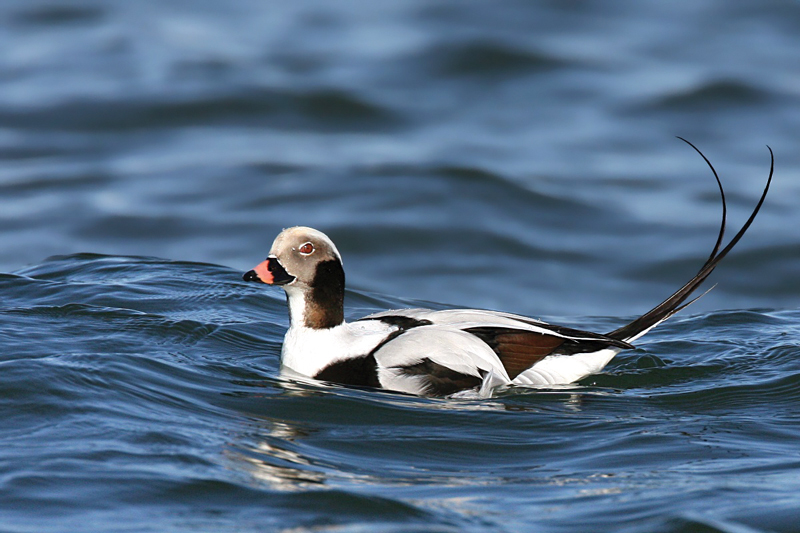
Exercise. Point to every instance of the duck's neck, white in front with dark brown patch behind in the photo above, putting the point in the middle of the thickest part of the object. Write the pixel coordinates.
(320, 305)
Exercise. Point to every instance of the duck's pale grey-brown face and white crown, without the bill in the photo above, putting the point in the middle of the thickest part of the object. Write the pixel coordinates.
(300, 249)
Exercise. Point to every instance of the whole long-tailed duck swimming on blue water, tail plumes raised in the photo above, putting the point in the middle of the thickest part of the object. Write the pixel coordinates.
(440, 353)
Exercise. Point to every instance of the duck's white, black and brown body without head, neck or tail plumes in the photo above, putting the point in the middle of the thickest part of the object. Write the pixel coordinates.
(425, 352)
